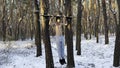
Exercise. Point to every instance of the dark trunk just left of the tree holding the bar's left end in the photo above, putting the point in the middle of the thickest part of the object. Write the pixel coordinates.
(38, 30)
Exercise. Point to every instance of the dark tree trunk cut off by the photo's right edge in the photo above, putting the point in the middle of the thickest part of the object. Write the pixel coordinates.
(116, 60)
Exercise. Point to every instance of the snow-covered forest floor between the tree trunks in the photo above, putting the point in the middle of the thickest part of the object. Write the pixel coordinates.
(21, 54)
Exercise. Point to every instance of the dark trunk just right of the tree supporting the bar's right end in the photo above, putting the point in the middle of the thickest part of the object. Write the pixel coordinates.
(78, 27)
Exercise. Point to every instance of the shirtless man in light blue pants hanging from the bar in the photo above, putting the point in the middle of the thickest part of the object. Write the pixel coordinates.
(60, 40)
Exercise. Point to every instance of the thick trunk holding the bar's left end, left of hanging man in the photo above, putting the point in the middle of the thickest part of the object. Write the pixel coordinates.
(46, 36)
